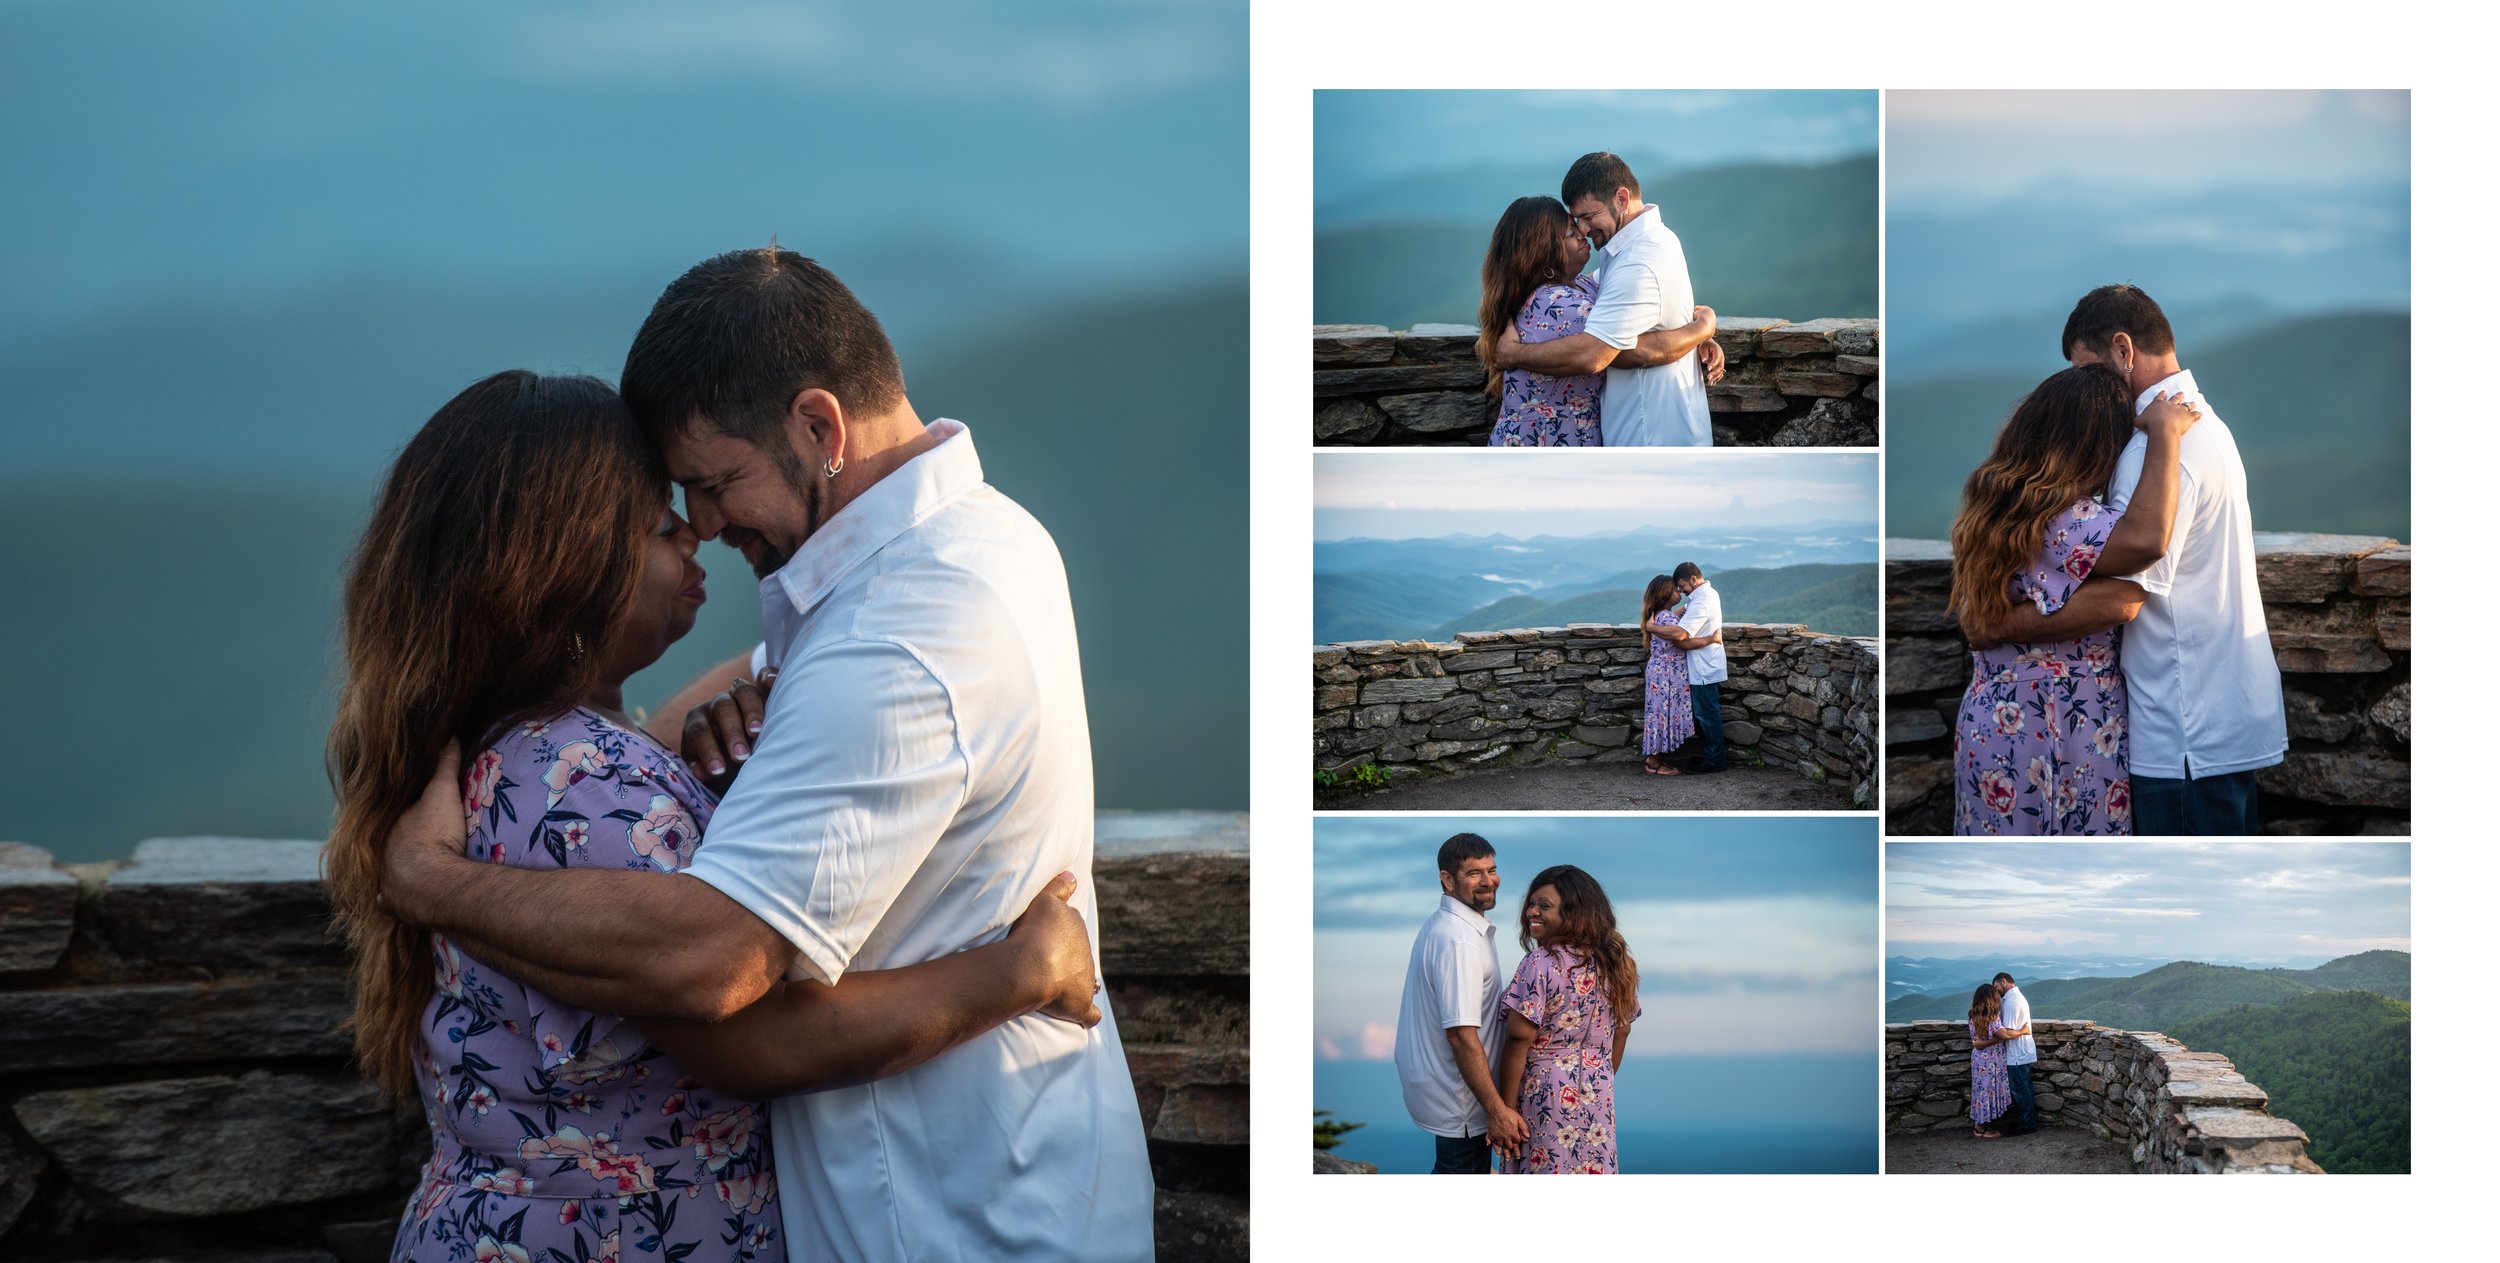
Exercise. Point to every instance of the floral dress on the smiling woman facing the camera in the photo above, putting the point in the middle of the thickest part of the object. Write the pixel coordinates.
(1569, 1089)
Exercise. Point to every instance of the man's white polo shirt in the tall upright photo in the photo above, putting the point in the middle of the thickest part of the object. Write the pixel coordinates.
(2204, 692)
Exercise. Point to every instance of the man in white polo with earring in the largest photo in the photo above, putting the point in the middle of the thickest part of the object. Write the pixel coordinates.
(921, 774)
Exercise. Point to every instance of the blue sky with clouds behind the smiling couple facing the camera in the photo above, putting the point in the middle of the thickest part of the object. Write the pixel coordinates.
(1754, 937)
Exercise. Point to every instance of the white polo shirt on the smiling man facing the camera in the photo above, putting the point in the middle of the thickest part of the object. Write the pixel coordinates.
(1454, 979)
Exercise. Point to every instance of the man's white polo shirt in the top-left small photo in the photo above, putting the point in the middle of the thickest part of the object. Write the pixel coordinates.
(1644, 286)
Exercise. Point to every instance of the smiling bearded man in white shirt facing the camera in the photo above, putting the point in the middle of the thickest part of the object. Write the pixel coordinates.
(1451, 1019)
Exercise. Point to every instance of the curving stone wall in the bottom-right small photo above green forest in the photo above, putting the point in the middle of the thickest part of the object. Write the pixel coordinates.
(2174, 1109)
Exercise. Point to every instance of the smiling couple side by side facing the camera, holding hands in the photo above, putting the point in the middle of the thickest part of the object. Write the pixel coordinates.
(1529, 1069)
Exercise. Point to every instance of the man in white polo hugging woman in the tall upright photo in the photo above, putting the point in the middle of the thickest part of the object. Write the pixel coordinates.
(2204, 689)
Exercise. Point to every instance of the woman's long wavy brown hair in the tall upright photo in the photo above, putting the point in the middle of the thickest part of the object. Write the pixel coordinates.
(2059, 446)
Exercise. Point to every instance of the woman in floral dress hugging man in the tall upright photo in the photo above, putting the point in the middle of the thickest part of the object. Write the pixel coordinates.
(2041, 739)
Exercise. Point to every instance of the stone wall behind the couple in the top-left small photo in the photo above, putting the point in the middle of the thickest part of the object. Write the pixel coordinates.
(1789, 386)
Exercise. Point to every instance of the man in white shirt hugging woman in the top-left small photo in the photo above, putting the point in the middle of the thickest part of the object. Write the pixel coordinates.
(1654, 399)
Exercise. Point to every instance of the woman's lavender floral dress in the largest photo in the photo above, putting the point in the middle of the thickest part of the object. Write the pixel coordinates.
(559, 1134)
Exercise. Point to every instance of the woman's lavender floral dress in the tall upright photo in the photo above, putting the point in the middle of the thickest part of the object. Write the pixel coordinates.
(2041, 742)
